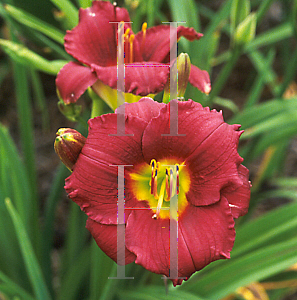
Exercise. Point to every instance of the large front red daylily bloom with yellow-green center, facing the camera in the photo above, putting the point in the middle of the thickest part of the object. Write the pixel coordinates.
(213, 186)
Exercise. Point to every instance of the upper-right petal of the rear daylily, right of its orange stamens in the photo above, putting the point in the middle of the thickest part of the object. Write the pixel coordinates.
(157, 42)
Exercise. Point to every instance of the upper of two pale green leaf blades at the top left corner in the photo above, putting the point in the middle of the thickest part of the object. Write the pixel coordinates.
(35, 23)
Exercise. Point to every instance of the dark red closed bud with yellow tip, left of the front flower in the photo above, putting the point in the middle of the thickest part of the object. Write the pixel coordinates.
(68, 145)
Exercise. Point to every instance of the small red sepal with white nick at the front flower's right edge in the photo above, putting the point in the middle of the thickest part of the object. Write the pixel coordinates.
(239, 198)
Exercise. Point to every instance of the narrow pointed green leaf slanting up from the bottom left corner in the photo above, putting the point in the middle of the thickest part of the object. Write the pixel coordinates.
(33, 268)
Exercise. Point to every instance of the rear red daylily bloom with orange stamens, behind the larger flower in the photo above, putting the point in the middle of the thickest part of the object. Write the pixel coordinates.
(93, 42)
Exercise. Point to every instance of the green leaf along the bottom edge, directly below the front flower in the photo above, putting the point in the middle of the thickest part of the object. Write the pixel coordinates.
(157, 292)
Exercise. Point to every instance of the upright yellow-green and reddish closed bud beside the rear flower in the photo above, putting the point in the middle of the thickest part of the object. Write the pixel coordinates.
(183, 64)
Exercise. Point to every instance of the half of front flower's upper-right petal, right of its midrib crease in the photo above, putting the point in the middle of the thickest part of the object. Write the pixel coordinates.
(214, 165)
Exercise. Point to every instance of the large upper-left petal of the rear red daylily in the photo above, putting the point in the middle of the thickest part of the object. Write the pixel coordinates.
(93, 40)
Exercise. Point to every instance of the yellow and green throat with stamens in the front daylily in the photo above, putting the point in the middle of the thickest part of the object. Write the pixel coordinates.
(160, 181)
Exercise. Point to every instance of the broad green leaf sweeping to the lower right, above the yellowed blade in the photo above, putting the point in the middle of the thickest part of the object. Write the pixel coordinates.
(255, 266)
